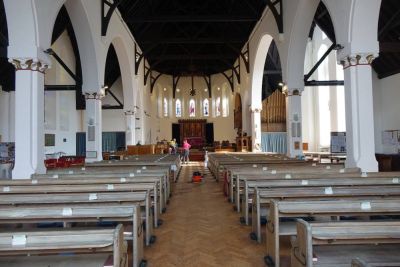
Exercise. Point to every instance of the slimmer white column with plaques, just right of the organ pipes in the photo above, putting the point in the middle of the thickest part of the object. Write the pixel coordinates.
(293, 122)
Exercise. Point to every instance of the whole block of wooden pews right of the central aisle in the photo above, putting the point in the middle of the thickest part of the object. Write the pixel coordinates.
(332, 216)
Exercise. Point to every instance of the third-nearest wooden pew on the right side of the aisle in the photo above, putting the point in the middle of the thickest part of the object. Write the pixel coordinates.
(265, 196)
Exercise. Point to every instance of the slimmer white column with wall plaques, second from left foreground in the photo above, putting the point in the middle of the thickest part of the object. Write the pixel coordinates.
(93, 127)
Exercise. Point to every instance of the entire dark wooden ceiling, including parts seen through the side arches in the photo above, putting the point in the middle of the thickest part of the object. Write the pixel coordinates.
(204, 37)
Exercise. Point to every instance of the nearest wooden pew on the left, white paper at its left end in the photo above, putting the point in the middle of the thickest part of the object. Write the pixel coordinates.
(75, 241)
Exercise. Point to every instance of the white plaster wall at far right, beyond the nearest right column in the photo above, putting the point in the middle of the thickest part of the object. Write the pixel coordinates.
(386, 109)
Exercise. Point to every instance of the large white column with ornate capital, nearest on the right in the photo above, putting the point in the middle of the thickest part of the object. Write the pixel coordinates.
(360, 141)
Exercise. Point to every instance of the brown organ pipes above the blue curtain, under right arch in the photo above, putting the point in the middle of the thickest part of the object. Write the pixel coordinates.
(273, 115)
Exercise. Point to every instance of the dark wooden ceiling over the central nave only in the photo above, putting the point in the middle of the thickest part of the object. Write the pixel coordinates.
(188, 37)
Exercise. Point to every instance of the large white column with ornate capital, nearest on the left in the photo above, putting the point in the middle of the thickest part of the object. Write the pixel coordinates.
(29, 117)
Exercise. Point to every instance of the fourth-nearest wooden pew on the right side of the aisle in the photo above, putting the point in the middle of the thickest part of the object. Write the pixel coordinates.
(322, 181)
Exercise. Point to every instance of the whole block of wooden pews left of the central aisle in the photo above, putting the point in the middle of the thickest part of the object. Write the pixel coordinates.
(102, 208)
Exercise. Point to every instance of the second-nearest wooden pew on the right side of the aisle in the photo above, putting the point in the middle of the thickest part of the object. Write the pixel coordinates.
(352, 206)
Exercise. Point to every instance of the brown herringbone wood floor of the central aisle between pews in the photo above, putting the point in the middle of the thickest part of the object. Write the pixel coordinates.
(201, 229)
